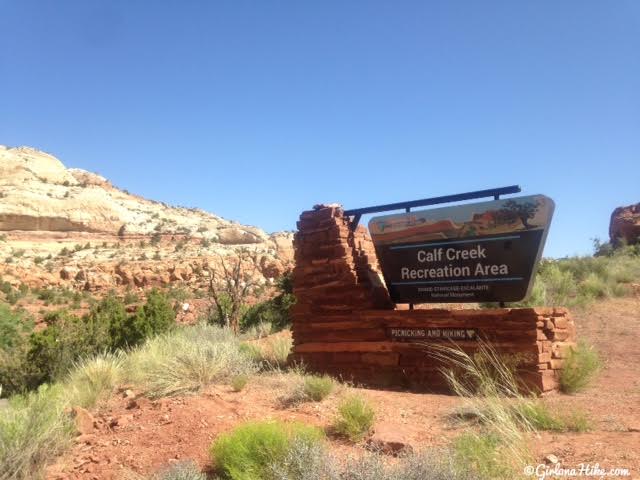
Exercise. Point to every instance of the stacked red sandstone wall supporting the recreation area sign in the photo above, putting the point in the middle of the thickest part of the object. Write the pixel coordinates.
(344, 318)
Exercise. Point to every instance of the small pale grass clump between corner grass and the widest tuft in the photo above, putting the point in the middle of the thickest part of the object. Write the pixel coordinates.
(93, 379)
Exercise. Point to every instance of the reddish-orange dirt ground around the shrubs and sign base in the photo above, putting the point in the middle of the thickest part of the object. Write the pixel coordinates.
(143, 436)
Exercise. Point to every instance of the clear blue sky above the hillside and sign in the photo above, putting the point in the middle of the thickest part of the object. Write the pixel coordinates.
(258, 110)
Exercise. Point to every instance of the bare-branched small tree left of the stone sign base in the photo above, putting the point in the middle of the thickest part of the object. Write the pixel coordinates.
(230, 287)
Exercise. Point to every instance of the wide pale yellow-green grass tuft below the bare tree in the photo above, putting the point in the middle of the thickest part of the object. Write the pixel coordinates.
(186, 359)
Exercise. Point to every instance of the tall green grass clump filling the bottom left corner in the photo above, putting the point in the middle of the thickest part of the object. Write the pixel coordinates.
(33, 430)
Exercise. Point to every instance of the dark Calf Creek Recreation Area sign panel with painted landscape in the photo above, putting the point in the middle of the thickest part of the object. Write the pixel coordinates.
(477, 252)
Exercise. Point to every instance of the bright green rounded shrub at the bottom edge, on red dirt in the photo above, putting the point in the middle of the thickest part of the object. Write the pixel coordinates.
(249, 451)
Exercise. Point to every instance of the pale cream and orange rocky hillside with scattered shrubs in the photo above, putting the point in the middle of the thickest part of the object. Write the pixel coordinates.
(69, 227)
